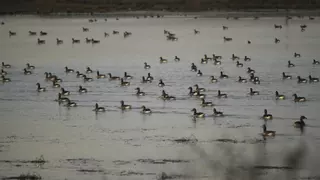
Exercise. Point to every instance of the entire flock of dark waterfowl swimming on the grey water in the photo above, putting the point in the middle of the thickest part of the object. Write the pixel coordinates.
(194, 91)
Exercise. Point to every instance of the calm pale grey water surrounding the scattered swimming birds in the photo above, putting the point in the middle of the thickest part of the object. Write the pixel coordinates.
(118, 144)
